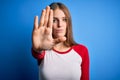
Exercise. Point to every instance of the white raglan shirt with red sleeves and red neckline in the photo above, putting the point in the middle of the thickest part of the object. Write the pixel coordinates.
(66, 65)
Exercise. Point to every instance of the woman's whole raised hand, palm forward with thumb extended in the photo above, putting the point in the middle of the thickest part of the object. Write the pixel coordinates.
(42, 32)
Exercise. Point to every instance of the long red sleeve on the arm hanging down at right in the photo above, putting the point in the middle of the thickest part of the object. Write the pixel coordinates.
(83, 52)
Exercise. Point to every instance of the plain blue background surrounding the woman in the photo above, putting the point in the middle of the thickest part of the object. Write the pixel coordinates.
(96, 24)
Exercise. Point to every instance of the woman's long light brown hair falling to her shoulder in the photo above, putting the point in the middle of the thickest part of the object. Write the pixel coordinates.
(69, 34)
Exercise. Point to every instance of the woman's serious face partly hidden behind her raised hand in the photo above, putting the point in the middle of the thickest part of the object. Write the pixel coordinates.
(59, 23)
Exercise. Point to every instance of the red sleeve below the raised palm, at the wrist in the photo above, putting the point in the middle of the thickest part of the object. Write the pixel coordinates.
(37, 55)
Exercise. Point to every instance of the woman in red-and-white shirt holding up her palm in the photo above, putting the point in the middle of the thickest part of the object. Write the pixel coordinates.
(59, 56)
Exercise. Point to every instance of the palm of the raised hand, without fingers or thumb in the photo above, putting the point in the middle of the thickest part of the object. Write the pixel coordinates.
(43, 38)
